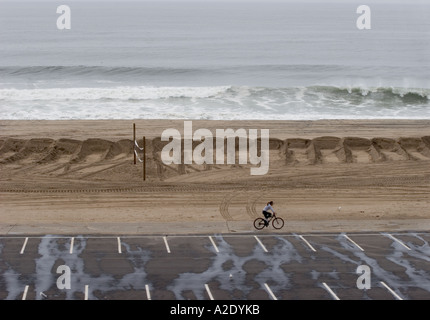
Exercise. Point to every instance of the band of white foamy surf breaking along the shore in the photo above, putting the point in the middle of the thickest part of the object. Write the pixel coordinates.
(216, 103)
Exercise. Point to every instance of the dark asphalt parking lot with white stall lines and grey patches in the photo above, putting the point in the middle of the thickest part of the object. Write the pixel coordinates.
(217, 267)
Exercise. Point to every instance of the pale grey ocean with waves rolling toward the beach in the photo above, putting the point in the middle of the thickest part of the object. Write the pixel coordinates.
(214, 60)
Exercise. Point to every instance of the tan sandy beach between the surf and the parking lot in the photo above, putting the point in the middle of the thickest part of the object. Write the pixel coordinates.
(323, 175)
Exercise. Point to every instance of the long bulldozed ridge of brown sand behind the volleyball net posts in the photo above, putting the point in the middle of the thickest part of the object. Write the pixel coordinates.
(100, 159)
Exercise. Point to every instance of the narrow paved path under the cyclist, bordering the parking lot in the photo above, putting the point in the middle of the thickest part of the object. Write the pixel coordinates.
(215, 227)
